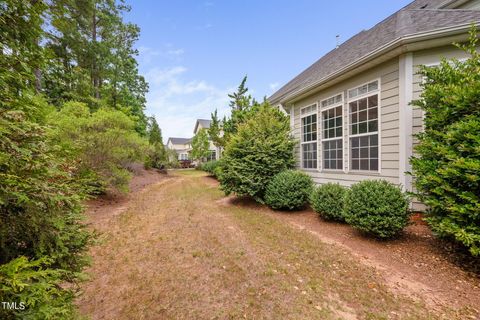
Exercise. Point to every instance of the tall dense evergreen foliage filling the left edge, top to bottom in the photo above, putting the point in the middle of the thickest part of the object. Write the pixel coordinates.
(42, 237)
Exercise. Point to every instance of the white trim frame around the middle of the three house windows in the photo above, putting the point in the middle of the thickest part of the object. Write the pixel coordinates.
(320, 132)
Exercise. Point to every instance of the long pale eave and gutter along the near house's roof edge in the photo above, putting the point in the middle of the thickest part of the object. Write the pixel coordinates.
(392, 45)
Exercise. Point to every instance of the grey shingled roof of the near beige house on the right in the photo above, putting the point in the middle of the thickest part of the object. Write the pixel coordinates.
(409, 21)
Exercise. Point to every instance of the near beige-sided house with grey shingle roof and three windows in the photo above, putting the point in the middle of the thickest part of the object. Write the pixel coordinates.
(350, 110)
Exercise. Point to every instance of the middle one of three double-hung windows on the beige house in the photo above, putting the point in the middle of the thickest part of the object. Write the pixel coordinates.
(332, 133)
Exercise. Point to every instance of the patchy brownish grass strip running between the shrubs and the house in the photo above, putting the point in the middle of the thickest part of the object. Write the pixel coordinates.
(178, 253)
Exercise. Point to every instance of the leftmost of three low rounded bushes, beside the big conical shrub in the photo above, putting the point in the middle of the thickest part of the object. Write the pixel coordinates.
(289, 190)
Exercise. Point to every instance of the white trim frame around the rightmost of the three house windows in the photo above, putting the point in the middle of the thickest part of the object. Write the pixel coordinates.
(379, 127)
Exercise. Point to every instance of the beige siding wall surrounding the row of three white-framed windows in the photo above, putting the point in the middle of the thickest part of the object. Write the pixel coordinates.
(388, 76)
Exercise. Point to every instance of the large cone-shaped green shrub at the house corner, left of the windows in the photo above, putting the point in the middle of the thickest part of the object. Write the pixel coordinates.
(260, 149)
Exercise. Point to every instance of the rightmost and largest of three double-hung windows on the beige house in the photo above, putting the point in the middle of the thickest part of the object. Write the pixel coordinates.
(364, 118)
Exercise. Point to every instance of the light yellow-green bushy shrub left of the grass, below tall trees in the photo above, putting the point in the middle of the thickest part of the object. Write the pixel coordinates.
(103, 143)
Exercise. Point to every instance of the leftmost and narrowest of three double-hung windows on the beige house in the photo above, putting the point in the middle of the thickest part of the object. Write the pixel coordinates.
(309, 137)
